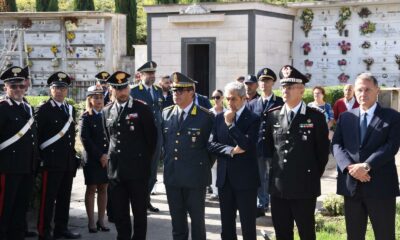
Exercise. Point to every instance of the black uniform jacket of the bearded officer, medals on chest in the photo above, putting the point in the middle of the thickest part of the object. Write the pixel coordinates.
(132, 135)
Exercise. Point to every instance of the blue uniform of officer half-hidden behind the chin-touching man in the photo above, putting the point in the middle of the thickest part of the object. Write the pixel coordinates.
(258, 107)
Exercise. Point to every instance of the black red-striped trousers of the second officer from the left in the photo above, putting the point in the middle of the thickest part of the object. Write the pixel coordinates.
(56, 187)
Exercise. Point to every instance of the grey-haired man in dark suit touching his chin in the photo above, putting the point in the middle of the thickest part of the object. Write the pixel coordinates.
(232, 141)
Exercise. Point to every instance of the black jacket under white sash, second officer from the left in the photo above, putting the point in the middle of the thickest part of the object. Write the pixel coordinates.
(59, 156)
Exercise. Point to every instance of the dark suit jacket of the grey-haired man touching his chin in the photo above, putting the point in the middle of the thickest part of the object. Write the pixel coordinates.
(241, 170)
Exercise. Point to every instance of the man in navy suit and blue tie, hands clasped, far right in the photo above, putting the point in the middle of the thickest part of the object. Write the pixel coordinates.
(365, 143)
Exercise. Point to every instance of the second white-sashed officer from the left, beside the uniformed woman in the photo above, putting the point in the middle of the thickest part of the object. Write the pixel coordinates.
(56, 135)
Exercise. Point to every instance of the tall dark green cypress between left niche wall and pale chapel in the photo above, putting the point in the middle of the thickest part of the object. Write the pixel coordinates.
(128, 7)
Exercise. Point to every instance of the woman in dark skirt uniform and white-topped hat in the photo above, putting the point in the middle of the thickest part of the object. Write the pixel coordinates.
(95, 154)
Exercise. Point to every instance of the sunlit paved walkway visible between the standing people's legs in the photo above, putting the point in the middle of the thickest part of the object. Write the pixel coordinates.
(159, 225)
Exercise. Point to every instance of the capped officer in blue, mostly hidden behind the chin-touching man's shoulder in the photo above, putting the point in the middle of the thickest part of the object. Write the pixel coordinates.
(266, 80)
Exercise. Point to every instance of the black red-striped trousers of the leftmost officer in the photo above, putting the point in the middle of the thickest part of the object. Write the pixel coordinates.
(15, 192)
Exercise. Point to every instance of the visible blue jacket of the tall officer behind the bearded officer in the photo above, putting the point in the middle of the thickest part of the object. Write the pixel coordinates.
(156, 103)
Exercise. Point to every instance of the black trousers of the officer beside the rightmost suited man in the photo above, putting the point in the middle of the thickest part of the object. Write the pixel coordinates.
(285, 211)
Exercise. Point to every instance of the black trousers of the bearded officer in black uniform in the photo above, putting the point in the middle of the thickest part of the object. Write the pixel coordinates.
(124, 195)
